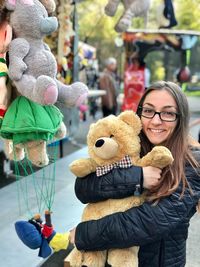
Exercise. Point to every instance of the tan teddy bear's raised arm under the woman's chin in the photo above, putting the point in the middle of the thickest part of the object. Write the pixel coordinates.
(159, 157)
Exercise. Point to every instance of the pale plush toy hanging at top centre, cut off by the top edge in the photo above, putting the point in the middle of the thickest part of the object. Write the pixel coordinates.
(132, 8)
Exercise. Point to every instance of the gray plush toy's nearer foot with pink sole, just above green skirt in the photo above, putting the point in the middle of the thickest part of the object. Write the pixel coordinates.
(46, 92)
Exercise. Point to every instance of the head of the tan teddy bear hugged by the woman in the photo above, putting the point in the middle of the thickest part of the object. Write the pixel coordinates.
(112, 138)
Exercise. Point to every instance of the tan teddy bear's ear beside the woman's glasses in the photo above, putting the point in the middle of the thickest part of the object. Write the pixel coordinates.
(132, 119)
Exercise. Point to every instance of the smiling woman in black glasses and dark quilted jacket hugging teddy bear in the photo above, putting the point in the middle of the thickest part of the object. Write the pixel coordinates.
(160, 225)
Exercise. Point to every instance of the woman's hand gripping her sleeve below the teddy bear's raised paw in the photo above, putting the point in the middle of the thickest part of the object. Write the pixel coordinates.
(151, 176)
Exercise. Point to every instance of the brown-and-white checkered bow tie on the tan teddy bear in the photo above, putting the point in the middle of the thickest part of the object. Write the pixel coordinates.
(123, 163)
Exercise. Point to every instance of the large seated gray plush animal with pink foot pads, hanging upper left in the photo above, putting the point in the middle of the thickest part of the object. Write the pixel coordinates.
(33, 67)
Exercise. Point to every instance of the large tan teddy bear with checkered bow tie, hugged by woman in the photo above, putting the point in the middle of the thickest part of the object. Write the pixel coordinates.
(113, 142)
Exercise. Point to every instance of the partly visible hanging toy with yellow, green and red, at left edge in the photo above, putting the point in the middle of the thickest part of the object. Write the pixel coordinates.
(5, 38)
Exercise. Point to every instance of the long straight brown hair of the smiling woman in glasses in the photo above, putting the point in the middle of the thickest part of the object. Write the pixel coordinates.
(179, 143)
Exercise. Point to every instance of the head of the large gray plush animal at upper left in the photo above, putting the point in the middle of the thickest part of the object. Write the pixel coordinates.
(29, 18)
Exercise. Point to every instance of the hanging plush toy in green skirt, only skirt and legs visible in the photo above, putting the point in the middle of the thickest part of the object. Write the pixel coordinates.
(27, 127)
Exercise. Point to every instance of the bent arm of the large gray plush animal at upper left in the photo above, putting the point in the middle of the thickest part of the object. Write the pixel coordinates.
(19, 48)
